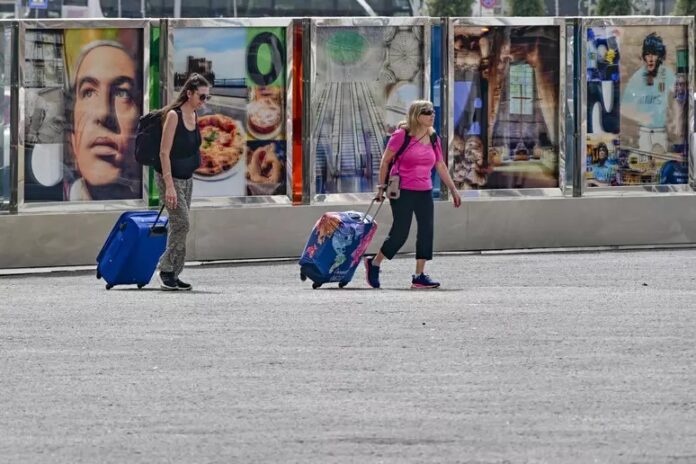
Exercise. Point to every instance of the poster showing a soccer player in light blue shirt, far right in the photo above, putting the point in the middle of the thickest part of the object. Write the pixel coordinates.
(637, 106)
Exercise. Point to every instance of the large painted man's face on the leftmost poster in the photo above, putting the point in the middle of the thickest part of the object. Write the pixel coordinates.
(105, 114)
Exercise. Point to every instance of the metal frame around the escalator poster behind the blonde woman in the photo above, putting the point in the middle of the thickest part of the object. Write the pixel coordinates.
(316, 23)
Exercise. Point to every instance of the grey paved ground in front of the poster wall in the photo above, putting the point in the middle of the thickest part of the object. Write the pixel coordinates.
(554, 358)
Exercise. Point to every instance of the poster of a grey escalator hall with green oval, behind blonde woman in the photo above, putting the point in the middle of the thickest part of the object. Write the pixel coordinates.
(366, 78)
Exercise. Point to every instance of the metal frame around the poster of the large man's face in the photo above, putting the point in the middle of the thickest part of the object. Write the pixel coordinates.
(62, 24)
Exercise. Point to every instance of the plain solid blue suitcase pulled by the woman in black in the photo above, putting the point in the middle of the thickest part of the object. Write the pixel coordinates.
(133, 248)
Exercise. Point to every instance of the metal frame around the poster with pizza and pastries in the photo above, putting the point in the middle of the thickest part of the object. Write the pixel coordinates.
(168, 86)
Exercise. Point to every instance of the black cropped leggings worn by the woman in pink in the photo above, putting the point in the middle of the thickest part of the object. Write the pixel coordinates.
(410, 202)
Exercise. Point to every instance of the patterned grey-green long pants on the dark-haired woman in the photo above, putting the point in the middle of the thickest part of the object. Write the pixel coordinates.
(174, 256)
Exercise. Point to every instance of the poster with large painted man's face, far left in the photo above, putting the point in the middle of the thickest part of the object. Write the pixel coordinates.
(83, 101)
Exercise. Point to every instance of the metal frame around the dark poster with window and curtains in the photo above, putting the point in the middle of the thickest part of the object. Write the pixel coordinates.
(511, 22)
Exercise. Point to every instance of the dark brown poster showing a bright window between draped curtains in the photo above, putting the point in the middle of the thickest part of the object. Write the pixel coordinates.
(506, 97)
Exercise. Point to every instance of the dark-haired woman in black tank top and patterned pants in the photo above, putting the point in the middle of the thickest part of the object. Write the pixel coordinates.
(179, 156)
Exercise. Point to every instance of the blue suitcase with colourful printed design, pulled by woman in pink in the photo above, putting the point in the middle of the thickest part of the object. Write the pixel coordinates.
(336, 246)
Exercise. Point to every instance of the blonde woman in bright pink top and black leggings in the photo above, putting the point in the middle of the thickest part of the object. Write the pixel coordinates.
(419, 151)
